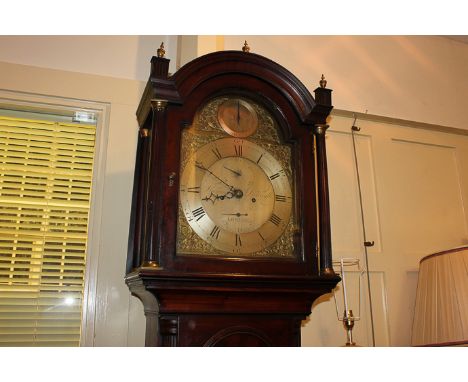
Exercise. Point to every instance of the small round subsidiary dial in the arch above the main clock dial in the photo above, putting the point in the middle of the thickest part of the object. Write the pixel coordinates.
(237, 117)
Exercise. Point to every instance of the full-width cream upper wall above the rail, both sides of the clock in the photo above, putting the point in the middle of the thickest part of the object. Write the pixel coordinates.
(417, 78)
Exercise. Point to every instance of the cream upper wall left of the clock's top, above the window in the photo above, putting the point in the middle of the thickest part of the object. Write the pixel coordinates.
(112, 56)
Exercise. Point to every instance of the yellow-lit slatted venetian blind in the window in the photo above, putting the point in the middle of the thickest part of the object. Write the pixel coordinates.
(45, 184)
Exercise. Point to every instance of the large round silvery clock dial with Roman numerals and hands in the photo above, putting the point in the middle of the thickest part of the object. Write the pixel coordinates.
(235, 195)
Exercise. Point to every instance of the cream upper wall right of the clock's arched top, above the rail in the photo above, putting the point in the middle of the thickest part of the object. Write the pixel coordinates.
(417, 78)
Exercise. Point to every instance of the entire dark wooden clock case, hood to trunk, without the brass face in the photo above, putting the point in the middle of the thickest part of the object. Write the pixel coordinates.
(221, 301)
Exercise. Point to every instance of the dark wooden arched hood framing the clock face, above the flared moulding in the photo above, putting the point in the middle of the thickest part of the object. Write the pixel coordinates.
(167, 106)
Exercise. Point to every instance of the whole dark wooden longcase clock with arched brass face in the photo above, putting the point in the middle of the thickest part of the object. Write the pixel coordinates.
(229, 239)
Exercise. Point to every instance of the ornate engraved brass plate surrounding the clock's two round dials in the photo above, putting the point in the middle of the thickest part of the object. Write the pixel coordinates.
(206, 129)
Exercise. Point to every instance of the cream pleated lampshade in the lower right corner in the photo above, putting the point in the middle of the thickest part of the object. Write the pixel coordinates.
(441, 311)
